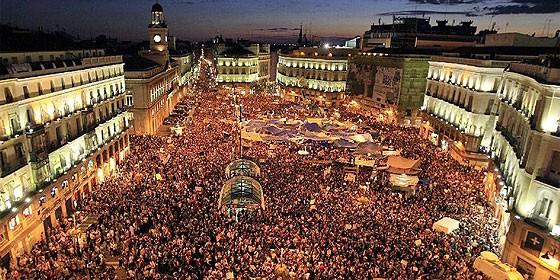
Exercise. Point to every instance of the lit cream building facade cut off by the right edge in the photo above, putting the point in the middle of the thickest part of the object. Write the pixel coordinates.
(526, 155)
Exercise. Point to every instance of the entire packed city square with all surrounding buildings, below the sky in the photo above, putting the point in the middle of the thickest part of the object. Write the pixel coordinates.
(226, 159)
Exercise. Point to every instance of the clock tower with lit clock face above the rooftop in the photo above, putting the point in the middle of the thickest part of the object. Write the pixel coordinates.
(158, 32)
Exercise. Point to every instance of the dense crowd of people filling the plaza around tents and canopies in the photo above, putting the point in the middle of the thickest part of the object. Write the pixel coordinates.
(159, 218)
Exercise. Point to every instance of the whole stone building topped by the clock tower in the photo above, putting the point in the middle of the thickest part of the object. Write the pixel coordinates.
(155, 81)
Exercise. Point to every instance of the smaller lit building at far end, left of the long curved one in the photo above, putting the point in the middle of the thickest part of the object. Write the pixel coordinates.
(242, 62)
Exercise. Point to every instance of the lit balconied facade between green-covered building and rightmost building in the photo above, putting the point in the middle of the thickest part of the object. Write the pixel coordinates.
(460, 106)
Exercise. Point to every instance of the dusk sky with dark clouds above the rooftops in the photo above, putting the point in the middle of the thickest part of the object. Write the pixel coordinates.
(274, 20)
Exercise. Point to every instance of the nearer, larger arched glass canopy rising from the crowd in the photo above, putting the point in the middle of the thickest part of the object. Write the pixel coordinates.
(241, 191)
